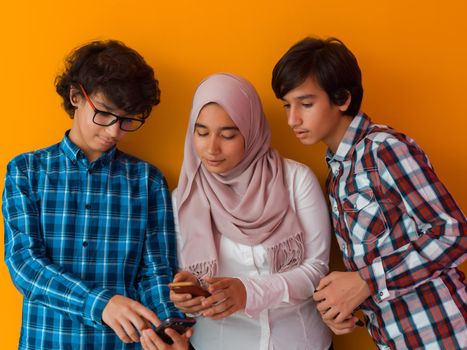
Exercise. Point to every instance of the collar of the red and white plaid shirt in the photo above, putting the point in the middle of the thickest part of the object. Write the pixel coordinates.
(357, 129)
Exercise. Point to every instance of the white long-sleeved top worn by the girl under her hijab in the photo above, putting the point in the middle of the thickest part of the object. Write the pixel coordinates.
(279, 312)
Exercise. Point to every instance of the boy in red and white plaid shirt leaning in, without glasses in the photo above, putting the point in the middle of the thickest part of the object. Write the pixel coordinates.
(401, 233)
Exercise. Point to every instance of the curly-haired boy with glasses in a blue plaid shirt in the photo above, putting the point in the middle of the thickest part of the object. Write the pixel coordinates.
(89, 236)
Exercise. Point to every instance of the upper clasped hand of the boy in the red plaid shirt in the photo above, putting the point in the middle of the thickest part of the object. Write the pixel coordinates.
(339, 294)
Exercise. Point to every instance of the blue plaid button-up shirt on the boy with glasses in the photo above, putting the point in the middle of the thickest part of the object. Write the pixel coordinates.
(78, 233)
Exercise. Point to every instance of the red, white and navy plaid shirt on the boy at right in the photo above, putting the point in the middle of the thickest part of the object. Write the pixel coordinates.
(399, 227)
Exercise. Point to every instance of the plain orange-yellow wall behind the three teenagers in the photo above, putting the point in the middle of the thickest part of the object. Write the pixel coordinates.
(413, 55)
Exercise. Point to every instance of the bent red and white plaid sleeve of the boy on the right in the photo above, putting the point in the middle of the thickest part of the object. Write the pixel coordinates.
(405, 171)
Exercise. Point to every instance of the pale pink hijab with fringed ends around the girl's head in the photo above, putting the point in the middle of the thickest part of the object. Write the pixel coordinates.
(249, 204)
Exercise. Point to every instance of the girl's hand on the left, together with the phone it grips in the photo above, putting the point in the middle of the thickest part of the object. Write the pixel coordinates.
(186, 293)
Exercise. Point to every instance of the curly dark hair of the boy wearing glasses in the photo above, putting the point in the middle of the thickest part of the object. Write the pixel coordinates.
(115, 70)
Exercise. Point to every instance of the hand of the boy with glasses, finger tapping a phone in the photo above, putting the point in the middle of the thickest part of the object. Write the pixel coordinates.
(128, 318)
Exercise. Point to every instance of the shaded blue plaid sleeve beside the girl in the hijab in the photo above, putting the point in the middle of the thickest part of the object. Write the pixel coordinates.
(160, 253)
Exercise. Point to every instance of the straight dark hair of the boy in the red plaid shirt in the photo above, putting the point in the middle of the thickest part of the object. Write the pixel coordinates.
(332, 65)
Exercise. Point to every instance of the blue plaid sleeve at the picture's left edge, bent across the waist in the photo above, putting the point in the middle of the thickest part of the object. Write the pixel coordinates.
(34, 274)
